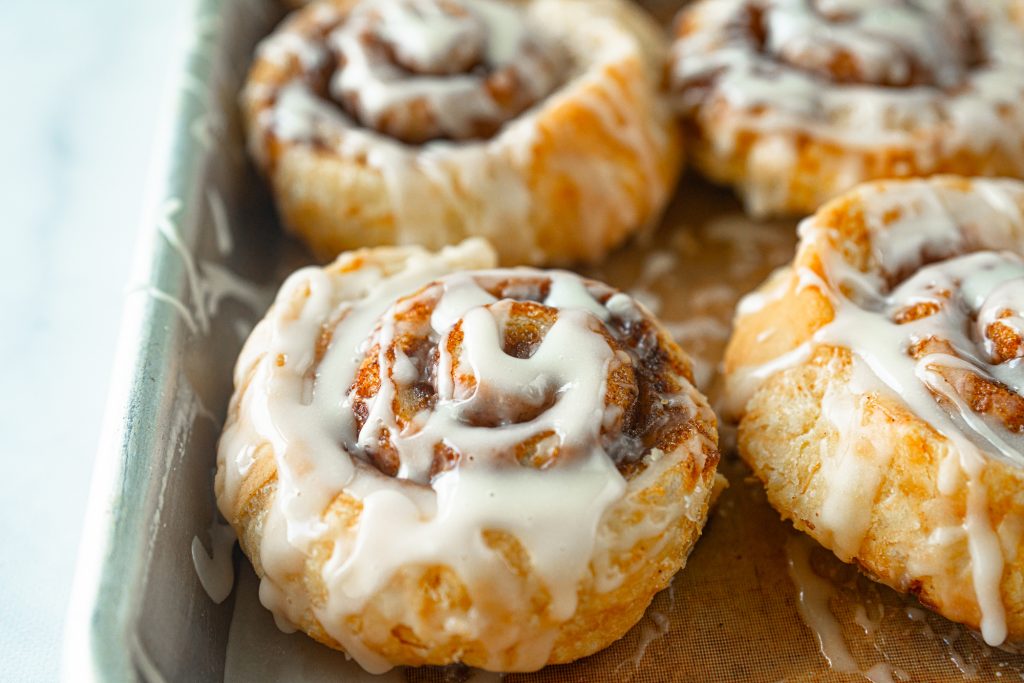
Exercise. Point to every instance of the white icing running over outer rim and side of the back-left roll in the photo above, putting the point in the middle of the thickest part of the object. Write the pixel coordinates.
(439, 189)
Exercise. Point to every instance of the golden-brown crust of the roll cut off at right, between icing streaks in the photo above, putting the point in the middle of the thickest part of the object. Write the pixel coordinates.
(792, 438)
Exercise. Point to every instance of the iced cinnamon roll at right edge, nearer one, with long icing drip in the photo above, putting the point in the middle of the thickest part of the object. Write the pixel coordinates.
(880, 391)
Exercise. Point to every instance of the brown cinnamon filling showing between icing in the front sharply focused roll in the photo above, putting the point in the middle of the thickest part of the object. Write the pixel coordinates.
(643, 379)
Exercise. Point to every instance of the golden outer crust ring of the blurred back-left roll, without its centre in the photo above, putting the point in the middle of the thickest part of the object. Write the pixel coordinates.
(565, 182)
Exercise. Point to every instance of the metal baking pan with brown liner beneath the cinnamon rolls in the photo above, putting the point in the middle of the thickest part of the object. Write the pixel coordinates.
(210, 258)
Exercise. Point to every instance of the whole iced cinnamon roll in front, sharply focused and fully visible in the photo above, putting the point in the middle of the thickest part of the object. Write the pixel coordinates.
(431, 463)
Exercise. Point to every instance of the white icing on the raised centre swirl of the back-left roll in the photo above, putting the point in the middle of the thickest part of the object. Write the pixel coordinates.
(456, 48)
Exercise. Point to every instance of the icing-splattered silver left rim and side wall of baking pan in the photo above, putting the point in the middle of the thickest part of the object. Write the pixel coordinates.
(208, 249)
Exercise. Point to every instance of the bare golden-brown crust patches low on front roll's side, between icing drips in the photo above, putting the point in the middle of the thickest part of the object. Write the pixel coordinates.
(437, 595)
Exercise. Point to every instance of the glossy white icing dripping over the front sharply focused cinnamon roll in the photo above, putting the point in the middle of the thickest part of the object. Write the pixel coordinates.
(422, 519)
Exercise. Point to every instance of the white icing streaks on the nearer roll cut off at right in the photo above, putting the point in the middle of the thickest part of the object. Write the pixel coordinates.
(968, 290)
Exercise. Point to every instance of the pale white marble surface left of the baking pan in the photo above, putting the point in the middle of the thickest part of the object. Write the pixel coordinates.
(82, 84)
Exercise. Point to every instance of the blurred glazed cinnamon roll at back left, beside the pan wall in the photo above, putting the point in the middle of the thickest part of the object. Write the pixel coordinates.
(538, 124)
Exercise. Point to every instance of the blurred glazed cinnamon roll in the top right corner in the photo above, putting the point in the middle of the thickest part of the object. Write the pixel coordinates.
(794, 102)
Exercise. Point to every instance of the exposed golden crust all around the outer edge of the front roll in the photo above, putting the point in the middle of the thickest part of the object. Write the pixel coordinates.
(409, 619)
